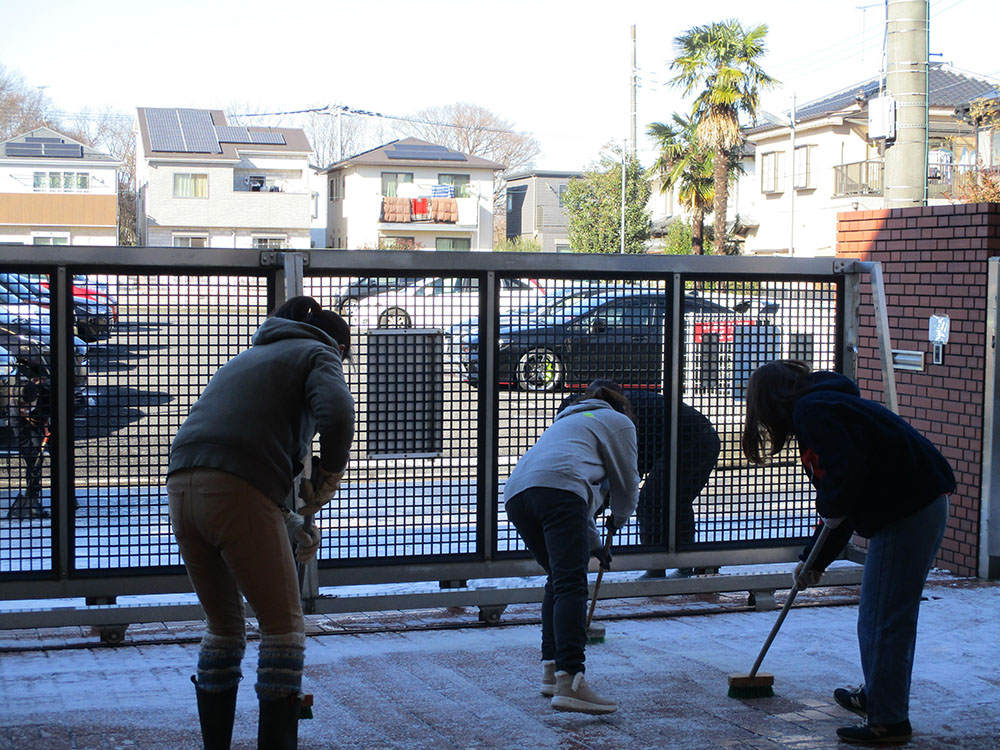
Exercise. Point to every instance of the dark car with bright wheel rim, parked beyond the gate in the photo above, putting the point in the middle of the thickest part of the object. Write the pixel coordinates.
(617, 334)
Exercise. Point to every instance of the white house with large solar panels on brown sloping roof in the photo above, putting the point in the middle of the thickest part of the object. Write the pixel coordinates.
(201, 182)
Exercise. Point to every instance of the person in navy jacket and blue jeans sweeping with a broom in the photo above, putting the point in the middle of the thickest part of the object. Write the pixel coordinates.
(877, 477)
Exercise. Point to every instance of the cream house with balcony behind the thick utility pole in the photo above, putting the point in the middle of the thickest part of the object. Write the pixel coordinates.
(839, 148)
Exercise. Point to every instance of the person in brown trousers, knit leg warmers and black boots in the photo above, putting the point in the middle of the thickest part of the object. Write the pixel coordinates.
(232, 468)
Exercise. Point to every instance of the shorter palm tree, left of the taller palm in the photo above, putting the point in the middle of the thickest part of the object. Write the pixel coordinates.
(685, 163)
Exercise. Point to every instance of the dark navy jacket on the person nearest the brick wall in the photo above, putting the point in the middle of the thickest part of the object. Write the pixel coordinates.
(866, 462)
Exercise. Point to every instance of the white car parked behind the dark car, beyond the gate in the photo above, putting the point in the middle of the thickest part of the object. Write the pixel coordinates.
(438, 303)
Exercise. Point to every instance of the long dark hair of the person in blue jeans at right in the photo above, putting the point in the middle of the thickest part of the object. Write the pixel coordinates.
(771, 395)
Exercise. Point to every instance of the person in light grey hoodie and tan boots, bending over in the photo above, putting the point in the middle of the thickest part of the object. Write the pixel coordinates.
(551, 497)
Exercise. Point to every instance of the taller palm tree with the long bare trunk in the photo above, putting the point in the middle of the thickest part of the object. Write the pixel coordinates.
(722, 60)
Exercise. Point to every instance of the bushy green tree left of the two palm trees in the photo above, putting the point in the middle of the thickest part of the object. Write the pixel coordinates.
(594, 206)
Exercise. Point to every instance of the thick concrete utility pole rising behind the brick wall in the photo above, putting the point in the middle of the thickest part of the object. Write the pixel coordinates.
(906, 81)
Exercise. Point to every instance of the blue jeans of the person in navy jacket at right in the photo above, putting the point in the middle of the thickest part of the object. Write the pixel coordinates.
(899, 558)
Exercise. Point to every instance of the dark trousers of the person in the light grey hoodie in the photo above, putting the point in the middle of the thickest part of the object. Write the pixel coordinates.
(553, 523)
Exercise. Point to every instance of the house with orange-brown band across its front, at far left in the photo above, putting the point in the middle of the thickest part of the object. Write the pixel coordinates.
(57, 191)
